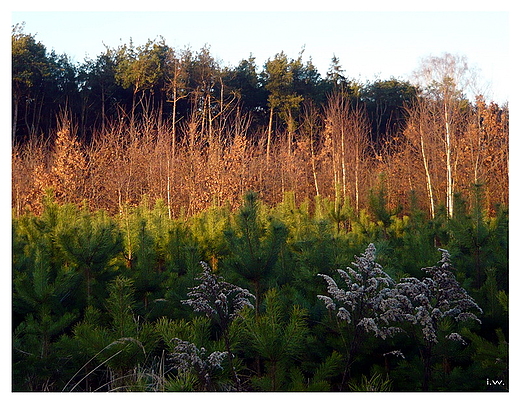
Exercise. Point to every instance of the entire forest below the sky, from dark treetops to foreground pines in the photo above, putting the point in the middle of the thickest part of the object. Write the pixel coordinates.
(180, 225)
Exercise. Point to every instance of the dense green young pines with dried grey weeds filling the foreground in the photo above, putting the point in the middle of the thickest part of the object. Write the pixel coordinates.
(228, 300)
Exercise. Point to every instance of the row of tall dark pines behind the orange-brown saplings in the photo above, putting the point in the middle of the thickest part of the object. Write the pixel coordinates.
(157, 81)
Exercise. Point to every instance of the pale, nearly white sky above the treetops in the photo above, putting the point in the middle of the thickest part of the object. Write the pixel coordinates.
(369, 44)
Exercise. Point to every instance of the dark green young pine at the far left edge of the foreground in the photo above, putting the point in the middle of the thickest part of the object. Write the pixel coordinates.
(39, 290)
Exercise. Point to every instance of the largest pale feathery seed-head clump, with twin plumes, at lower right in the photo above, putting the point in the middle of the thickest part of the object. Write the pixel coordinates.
(373, 302)
